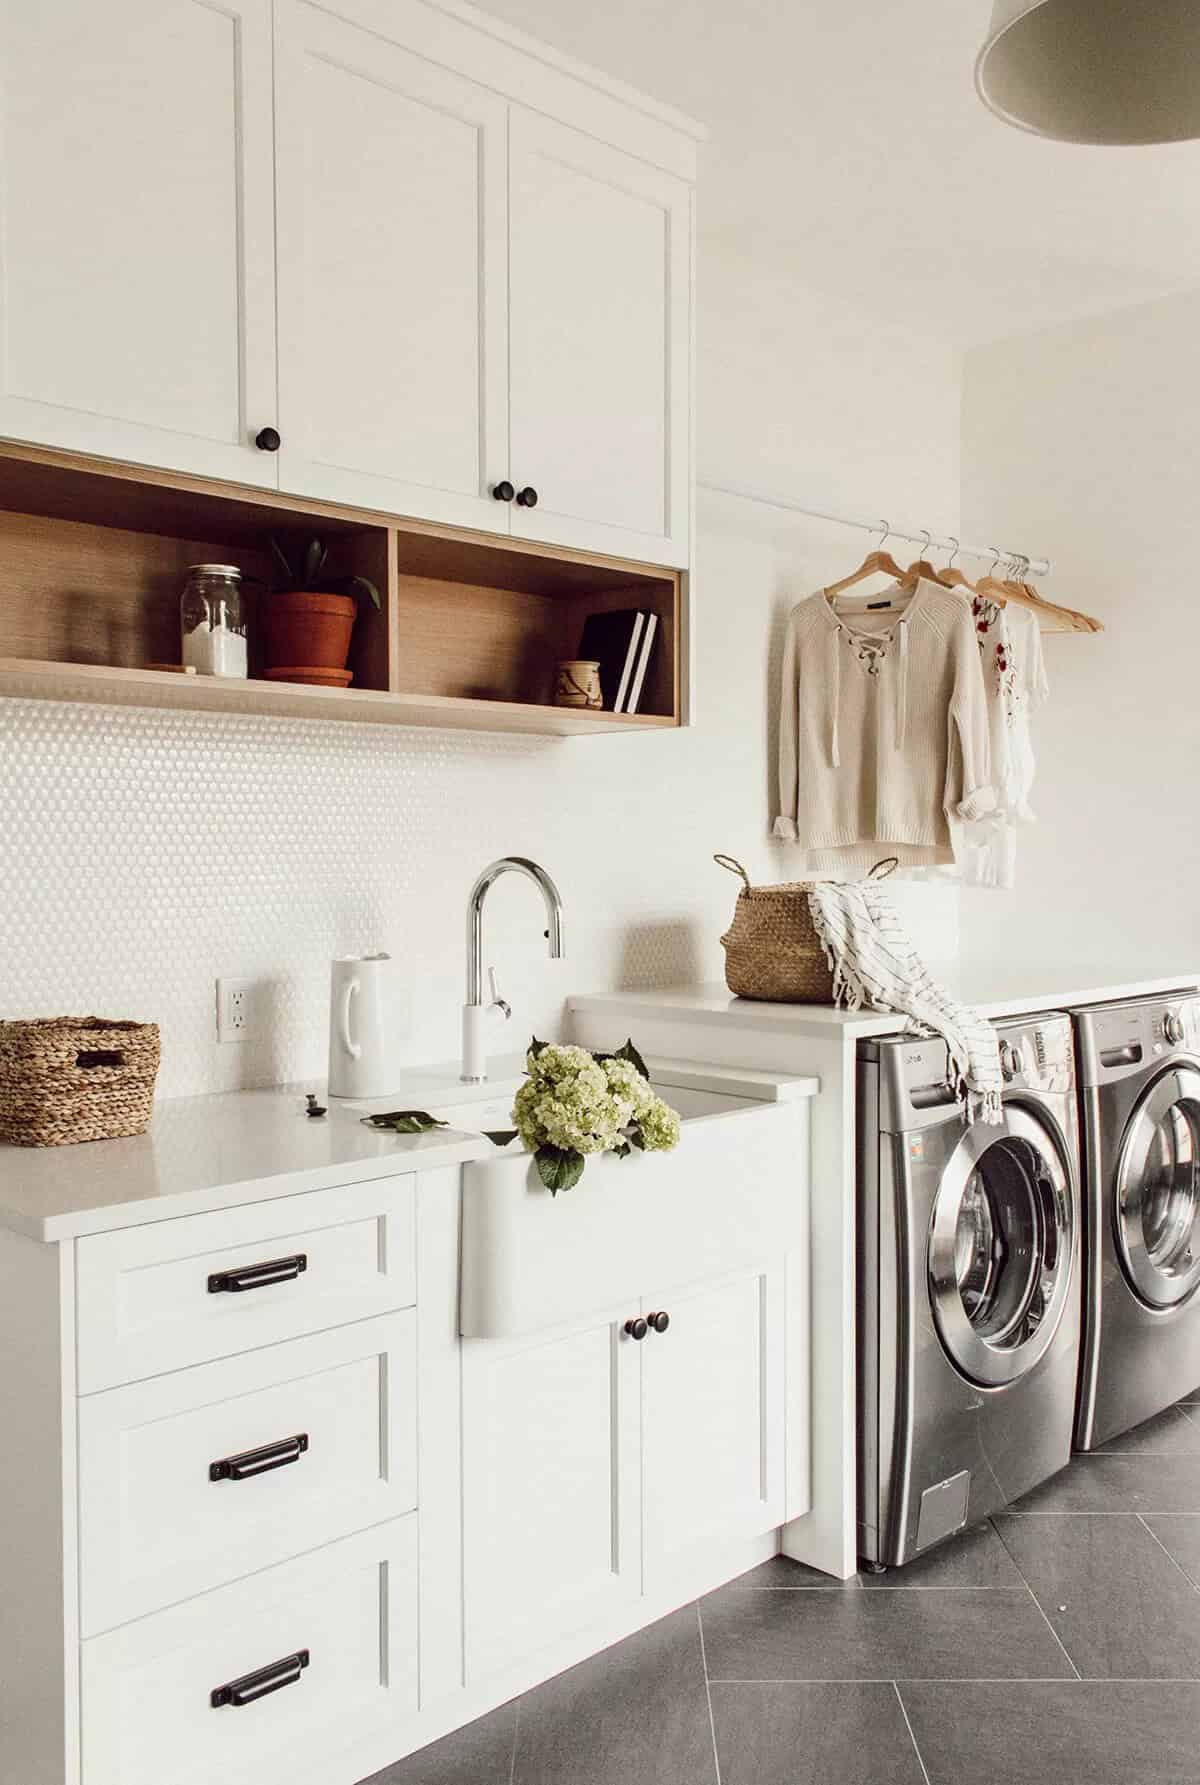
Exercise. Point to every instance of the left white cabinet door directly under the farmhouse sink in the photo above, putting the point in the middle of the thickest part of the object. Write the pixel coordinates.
(551, 1488)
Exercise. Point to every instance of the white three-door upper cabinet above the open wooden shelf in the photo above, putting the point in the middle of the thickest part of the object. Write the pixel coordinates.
(351, 251)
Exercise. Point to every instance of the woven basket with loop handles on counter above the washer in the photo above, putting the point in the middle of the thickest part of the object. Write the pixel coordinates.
(772, 949)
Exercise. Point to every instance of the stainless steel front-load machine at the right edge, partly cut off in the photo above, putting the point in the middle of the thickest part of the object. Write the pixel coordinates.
(1140, 1099)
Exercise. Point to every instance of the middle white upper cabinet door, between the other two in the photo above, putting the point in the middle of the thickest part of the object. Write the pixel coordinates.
(392, 276)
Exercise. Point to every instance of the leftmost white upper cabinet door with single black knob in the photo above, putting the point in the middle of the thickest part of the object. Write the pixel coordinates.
(137, 231)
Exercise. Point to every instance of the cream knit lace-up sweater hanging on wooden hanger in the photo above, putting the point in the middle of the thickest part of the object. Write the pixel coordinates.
(883, 733)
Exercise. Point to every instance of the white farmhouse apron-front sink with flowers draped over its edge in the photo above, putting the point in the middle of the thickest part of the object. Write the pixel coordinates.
(733, 1193)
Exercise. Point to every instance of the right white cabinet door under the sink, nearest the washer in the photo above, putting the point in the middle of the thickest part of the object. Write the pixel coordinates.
(713, 1418)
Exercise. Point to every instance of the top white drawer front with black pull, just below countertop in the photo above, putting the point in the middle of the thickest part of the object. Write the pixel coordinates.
(146, 1304)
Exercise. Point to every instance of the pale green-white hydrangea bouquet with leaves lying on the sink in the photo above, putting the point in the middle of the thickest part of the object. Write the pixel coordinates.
(576, 1104)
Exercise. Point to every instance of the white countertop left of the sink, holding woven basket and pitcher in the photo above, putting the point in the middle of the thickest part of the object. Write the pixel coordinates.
(215, 1152)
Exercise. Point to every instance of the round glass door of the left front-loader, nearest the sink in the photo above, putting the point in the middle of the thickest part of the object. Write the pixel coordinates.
(1001, 1249)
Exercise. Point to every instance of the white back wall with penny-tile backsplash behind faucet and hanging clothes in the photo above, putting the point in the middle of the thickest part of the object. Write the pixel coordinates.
(146, 854)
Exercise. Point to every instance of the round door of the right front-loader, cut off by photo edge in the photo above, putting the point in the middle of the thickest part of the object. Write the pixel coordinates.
(1158, 1191)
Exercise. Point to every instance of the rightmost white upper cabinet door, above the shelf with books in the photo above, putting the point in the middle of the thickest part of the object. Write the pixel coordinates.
(601, 345)
